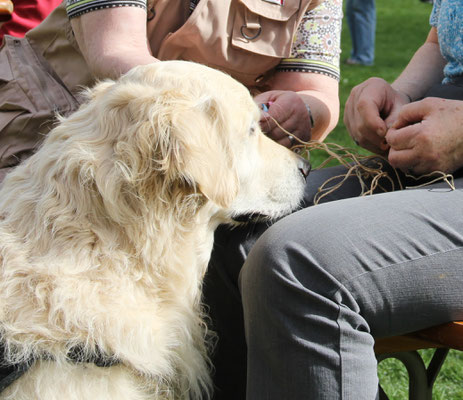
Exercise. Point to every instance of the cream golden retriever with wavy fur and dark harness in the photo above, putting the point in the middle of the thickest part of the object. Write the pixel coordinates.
(106, 232)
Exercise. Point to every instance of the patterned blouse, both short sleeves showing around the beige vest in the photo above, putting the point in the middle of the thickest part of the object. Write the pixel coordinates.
(316, 45)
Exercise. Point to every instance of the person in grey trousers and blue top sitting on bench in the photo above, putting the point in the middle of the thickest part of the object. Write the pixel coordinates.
(320, 285)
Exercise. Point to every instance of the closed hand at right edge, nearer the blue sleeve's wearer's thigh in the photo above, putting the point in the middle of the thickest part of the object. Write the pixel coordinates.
(427, 136)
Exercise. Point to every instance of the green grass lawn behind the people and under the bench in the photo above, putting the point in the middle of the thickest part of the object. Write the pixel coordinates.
(402, 26)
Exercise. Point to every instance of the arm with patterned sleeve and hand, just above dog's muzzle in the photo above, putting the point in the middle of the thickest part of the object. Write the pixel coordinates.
(318, 27)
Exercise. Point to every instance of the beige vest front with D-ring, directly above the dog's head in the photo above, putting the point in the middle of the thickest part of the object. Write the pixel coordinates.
(245, 38)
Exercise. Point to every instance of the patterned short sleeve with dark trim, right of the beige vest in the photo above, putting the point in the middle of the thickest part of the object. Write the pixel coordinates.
(317, 43)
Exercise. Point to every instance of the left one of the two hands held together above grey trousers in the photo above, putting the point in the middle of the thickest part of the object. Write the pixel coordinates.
(370, 109)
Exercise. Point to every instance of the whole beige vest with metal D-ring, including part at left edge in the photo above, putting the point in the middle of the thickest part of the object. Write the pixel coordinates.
(43, 74)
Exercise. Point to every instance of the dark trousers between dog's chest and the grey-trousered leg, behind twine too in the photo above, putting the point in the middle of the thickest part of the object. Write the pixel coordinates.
(221, 294)
